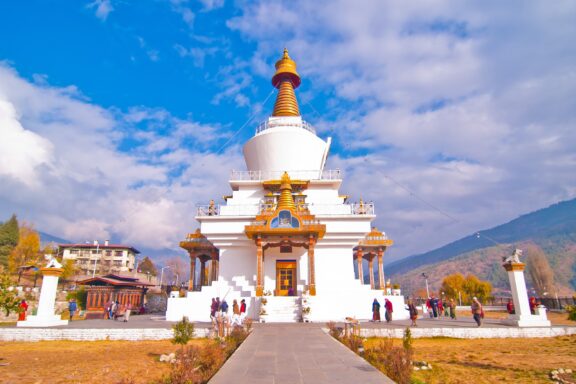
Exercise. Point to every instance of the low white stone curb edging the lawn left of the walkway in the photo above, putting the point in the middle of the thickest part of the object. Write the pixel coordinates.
(132, 334)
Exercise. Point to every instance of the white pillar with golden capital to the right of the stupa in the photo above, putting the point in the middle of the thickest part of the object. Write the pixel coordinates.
(522, 316)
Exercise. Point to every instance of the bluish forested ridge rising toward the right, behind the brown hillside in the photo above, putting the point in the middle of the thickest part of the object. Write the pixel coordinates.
(558, 220)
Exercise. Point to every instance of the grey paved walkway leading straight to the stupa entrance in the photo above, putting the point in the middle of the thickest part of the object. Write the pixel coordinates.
(295, 353)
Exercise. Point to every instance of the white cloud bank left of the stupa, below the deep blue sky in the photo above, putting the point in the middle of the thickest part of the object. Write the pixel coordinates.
(84, 187)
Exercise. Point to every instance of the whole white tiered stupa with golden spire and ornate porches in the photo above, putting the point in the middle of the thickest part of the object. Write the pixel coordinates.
(285, 233)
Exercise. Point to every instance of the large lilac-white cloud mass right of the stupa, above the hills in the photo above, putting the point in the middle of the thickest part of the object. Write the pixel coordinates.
(464, 114)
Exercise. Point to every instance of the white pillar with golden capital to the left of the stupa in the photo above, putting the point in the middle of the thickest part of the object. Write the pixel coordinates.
(45, 316)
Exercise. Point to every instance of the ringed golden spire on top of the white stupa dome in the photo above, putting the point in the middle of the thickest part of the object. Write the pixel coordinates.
(286, 79)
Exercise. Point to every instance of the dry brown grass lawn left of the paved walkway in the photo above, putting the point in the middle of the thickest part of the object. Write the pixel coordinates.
(70, 362)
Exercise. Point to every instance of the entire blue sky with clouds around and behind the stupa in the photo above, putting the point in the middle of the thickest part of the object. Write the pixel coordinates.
(118, 117)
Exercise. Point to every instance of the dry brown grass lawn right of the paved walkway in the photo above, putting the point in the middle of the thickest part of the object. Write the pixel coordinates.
(493, 360)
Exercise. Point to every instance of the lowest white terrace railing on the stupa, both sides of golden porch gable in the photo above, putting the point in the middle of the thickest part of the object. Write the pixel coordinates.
(315, 209)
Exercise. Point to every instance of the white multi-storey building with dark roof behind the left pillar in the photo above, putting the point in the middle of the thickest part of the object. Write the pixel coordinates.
(99, 258)
